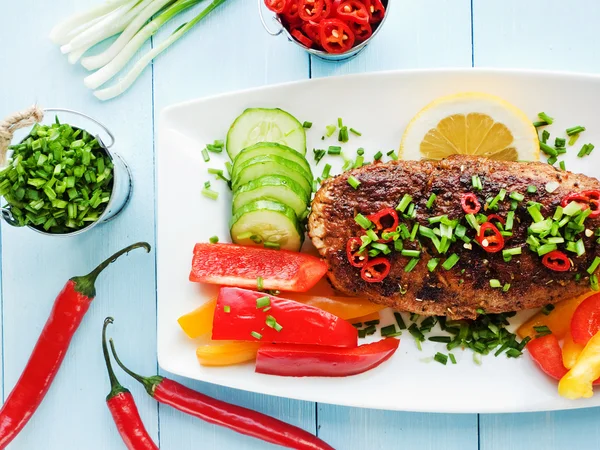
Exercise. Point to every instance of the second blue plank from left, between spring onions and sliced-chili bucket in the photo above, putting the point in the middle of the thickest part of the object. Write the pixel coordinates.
(220, 60)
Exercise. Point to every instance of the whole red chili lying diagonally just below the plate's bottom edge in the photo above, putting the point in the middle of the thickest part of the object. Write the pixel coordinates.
(236, 418)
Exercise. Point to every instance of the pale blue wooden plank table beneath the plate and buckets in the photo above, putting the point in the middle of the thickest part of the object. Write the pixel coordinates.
(231, 51)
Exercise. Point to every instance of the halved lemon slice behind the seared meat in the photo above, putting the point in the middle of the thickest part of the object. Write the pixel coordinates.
(471, 123)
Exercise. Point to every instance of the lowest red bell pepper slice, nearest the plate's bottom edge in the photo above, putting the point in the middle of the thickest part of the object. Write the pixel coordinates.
(314, 361)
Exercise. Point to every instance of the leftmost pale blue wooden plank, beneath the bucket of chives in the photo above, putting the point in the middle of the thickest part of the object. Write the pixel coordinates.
(35, 267)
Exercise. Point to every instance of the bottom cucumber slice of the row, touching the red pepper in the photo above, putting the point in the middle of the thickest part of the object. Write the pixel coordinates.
(266, 221)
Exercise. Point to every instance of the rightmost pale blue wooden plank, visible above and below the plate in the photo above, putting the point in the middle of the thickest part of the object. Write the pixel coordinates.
(553, 35)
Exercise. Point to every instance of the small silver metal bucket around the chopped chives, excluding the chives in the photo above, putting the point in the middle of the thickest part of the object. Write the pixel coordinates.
(122, 187)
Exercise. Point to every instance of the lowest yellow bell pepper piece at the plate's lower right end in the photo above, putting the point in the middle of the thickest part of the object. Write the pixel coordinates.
(578, 382)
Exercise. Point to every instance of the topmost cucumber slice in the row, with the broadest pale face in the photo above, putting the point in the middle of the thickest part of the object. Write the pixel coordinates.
(265, 125)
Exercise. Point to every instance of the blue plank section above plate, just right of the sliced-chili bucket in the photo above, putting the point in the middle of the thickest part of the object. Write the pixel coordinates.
(416, 34)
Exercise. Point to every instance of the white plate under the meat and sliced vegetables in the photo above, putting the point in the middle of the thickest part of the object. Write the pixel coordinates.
(379, 105)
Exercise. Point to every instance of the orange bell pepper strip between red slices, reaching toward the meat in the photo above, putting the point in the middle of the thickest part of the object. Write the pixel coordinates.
(346, 308)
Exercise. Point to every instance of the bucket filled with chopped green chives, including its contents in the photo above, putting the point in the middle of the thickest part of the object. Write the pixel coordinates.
(61, 180)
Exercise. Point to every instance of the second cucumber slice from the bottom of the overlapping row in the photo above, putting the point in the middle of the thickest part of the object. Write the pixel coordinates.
(272, 187)
